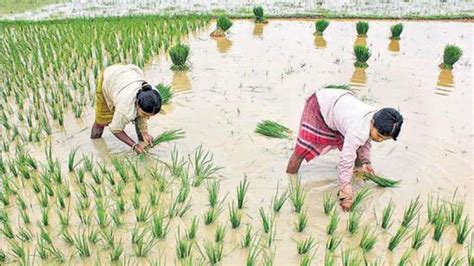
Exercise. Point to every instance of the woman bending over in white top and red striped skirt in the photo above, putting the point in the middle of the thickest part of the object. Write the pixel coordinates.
(334, 118)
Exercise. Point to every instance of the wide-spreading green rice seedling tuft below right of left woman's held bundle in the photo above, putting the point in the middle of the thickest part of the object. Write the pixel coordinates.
(203, 166)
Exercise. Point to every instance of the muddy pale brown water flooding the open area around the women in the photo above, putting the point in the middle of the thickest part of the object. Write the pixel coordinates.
(267, 72)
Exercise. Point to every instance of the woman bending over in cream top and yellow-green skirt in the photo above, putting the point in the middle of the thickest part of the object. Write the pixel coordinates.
(123, 96)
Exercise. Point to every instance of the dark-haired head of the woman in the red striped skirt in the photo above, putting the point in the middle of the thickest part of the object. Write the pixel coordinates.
(388, 122)
